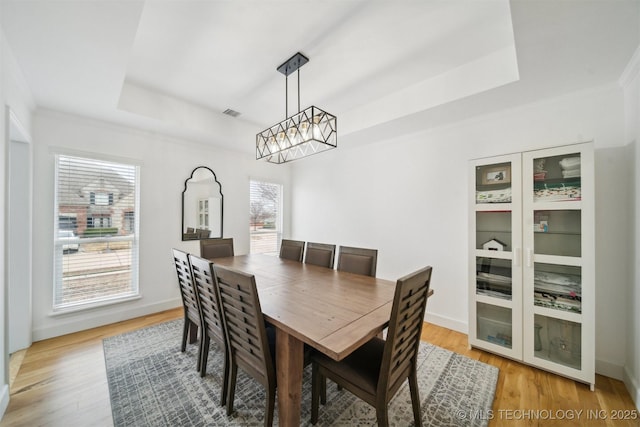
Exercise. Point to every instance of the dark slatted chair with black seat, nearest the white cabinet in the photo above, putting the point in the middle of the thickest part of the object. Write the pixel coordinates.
(375, 371)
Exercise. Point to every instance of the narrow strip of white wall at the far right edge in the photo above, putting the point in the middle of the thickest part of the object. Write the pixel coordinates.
(630, 81)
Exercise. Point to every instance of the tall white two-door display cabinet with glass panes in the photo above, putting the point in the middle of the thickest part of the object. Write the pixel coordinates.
(532, 273)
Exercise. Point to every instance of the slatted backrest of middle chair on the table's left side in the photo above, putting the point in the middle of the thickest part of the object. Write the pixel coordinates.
(207, 296)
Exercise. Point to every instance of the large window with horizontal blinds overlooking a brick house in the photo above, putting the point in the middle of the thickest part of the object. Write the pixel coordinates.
(97, 262)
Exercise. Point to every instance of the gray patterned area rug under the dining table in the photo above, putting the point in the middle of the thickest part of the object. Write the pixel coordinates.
(151, 383)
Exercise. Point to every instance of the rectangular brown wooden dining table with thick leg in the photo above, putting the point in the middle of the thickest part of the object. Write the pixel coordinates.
(333, 312)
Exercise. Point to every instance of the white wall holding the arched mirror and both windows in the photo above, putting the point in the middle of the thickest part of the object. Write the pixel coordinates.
(165, 164)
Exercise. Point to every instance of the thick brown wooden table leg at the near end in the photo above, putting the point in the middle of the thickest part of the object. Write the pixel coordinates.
(289, 366)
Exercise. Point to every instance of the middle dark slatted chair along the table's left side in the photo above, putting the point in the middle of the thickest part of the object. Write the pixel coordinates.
(211, 318)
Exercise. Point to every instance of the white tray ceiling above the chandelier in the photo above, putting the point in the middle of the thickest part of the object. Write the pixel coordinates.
(174, 66)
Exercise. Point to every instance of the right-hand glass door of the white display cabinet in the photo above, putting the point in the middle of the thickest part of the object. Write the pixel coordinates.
(558, 298)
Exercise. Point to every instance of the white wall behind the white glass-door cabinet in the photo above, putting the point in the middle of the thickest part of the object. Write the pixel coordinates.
(407, 197)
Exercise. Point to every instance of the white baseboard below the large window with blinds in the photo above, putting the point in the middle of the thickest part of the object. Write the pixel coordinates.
(79, 321)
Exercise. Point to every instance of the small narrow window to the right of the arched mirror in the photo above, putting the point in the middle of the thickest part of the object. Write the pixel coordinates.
(265, 212)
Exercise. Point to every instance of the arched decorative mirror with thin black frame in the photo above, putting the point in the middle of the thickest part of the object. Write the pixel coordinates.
(202, 205)
